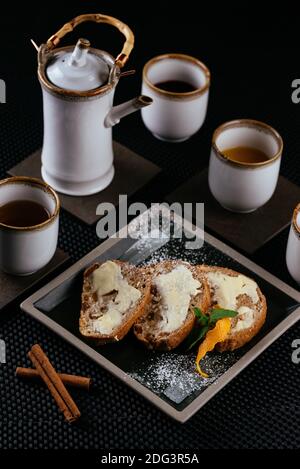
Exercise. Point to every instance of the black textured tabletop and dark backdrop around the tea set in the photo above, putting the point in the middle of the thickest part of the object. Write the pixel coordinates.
(253, 58)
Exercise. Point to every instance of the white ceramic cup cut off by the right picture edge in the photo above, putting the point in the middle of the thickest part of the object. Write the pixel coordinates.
(293, 246)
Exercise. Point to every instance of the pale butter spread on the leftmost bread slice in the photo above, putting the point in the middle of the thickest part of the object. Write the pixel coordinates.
(107, 279)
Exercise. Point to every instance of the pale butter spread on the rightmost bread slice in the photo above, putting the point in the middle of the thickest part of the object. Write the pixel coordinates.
(227, 289)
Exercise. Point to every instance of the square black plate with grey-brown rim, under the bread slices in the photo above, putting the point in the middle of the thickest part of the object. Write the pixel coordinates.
(167, 380)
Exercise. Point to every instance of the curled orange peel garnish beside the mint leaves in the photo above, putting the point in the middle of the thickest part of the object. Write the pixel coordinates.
(218, 334)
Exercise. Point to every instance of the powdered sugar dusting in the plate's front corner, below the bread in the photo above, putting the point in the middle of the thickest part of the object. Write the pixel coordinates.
(175, 376)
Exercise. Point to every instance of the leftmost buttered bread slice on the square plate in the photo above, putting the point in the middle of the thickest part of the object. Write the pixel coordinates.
(114, 296)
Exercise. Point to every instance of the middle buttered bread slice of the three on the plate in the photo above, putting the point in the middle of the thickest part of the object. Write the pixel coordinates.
(176, 288)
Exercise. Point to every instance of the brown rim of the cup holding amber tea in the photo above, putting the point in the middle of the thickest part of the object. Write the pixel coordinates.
(247, 123)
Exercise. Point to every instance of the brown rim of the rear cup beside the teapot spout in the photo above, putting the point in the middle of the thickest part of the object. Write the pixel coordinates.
(172, 94)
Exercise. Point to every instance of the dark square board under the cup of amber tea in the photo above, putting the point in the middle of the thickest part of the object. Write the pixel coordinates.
(248, 232)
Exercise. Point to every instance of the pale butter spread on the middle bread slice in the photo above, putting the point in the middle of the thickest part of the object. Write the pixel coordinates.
(176, 288)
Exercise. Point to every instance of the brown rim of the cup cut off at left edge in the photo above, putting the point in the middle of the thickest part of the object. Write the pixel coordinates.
(33, 182)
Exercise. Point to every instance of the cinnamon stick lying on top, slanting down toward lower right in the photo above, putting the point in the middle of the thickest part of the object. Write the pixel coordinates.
(55, 385)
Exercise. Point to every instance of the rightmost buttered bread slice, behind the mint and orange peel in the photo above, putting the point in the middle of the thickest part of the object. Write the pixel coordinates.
(242, 295)
